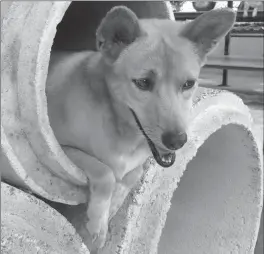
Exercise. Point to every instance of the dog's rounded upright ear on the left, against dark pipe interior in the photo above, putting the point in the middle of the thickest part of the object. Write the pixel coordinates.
(119, 28)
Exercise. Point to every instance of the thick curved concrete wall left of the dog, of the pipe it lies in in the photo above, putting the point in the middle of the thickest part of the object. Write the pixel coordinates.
(27, 138)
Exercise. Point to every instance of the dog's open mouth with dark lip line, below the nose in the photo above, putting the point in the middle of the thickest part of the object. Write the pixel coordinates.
(165, 159)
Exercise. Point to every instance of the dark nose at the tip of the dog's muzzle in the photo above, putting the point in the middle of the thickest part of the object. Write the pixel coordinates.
(174, 141)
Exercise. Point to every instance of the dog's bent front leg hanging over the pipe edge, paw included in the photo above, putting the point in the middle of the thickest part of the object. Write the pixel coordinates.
(102, 183)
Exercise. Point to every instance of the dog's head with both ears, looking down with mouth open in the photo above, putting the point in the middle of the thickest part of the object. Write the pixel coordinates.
(154, 67)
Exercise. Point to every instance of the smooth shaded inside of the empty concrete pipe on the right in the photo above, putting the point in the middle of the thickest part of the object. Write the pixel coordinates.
(214, 209)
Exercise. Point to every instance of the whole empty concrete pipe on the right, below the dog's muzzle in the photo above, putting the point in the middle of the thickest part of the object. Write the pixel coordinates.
(210, 201)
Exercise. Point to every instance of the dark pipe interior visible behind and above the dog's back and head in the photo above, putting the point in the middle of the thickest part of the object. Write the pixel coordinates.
(78, 27)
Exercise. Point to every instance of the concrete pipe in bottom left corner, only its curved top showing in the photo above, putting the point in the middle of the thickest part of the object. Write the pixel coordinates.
(30, 226)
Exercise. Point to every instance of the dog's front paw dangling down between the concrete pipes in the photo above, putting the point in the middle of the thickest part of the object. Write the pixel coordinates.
(98, 228)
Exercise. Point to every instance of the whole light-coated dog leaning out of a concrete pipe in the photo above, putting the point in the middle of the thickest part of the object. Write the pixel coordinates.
(112, 109)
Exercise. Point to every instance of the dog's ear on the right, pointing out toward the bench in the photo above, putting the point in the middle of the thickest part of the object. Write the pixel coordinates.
(208, 29)
